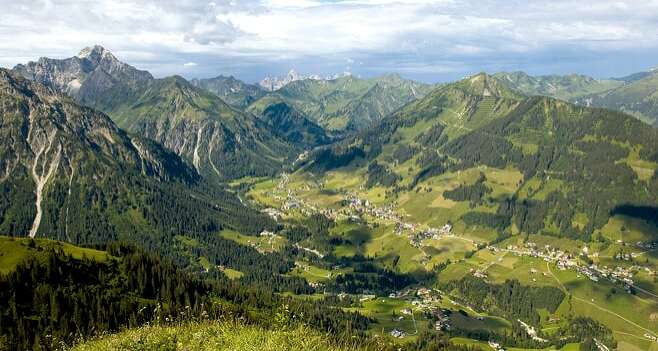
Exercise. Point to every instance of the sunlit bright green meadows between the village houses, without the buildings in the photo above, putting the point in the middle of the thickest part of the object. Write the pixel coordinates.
(425, 205)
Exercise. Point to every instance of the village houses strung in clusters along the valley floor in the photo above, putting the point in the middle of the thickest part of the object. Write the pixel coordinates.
(431, 304)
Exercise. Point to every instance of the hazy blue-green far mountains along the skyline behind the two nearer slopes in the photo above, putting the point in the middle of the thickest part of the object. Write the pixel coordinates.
(209, 122)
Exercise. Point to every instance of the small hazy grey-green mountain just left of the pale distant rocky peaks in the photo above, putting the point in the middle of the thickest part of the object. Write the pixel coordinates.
(234, 91)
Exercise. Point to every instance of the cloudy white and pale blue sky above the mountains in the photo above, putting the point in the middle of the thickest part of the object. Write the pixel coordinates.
(430, 41)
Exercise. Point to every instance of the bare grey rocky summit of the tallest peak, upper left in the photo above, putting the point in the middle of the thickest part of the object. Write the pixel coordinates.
(85, 77)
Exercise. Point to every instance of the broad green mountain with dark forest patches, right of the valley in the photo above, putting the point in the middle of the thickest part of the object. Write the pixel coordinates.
(479, 122)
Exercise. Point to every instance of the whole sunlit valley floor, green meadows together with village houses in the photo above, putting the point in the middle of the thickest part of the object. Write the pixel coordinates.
(372, 223)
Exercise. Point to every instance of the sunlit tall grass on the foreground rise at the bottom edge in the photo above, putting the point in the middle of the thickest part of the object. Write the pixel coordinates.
(213, 336)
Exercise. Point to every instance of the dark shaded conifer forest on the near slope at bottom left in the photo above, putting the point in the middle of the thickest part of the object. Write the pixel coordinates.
(50, 298)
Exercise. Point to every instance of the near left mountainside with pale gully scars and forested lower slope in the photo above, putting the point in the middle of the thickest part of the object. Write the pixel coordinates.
(68, 172)
